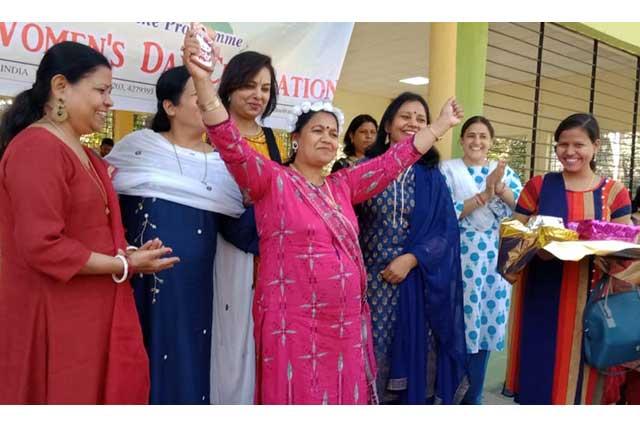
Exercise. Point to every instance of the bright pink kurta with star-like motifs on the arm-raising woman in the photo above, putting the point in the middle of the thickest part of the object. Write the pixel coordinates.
(312, 327)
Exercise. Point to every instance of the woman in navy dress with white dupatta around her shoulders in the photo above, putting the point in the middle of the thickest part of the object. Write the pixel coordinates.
(173, 185)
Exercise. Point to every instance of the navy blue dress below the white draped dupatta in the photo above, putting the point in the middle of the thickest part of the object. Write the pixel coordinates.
(175, 306)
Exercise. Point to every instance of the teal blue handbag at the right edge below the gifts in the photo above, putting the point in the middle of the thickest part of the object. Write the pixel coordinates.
(611, 334)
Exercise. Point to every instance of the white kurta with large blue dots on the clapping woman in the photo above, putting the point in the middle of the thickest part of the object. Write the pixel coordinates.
(486, 293)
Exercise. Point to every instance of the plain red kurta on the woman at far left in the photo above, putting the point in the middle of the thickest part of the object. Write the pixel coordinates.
(63, 336)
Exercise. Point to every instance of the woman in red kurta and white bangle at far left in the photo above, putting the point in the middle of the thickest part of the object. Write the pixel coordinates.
(68, 332)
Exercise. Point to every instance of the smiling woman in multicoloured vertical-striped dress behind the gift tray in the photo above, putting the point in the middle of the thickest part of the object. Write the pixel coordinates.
(545, 359)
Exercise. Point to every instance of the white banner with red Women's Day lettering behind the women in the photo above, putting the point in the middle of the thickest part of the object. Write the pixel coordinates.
(307, 57)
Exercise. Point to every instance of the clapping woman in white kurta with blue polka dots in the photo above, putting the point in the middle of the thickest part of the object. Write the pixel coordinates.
(484, 193)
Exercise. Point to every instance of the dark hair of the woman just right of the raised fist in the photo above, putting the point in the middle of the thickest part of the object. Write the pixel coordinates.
(242, 68)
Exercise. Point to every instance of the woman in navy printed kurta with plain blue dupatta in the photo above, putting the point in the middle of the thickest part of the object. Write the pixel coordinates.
(410, 241)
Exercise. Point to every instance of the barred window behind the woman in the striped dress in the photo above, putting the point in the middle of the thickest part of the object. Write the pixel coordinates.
(538, 74)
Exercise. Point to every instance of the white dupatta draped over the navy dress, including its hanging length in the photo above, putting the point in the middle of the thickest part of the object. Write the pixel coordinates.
(147, 166)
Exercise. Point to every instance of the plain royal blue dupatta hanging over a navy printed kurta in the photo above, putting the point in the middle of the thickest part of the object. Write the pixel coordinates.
(428, 350)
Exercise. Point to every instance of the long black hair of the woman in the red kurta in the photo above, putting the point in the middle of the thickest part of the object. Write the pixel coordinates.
(72, 60)
